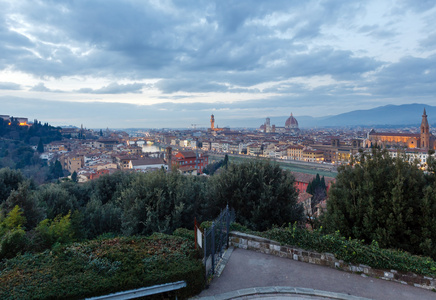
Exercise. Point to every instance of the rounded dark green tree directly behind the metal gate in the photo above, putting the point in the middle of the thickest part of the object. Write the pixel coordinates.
(261, 193)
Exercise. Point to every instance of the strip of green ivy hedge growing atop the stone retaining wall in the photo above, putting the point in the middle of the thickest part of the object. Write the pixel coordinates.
(349, 250)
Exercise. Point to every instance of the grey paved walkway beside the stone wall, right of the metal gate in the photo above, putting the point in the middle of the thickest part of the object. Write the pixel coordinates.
(253, 275)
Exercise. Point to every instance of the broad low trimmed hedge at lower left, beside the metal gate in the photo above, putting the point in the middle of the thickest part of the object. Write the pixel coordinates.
(102, 266)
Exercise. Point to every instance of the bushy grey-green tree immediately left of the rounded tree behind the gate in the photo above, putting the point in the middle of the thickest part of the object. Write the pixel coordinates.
(161, 202)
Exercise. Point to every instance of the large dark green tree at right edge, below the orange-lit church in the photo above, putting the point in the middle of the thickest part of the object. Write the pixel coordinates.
(384, 199)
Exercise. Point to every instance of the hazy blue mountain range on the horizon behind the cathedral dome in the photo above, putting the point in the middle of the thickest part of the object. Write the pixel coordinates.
(389, 115)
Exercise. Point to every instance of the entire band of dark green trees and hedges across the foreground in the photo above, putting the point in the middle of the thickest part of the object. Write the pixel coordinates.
(49, 233)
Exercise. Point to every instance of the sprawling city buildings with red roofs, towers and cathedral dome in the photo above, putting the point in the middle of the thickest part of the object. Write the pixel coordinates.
(91, 154)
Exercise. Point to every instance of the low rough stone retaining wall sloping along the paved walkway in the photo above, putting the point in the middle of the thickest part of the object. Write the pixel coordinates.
(251, 242)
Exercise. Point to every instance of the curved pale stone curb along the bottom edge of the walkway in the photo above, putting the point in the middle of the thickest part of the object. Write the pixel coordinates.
(279, 290)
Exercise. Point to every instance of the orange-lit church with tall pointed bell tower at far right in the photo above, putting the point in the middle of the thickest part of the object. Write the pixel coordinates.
(424, 140)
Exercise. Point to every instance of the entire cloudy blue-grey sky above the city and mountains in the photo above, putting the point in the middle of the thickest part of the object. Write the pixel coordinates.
(157, 63)
